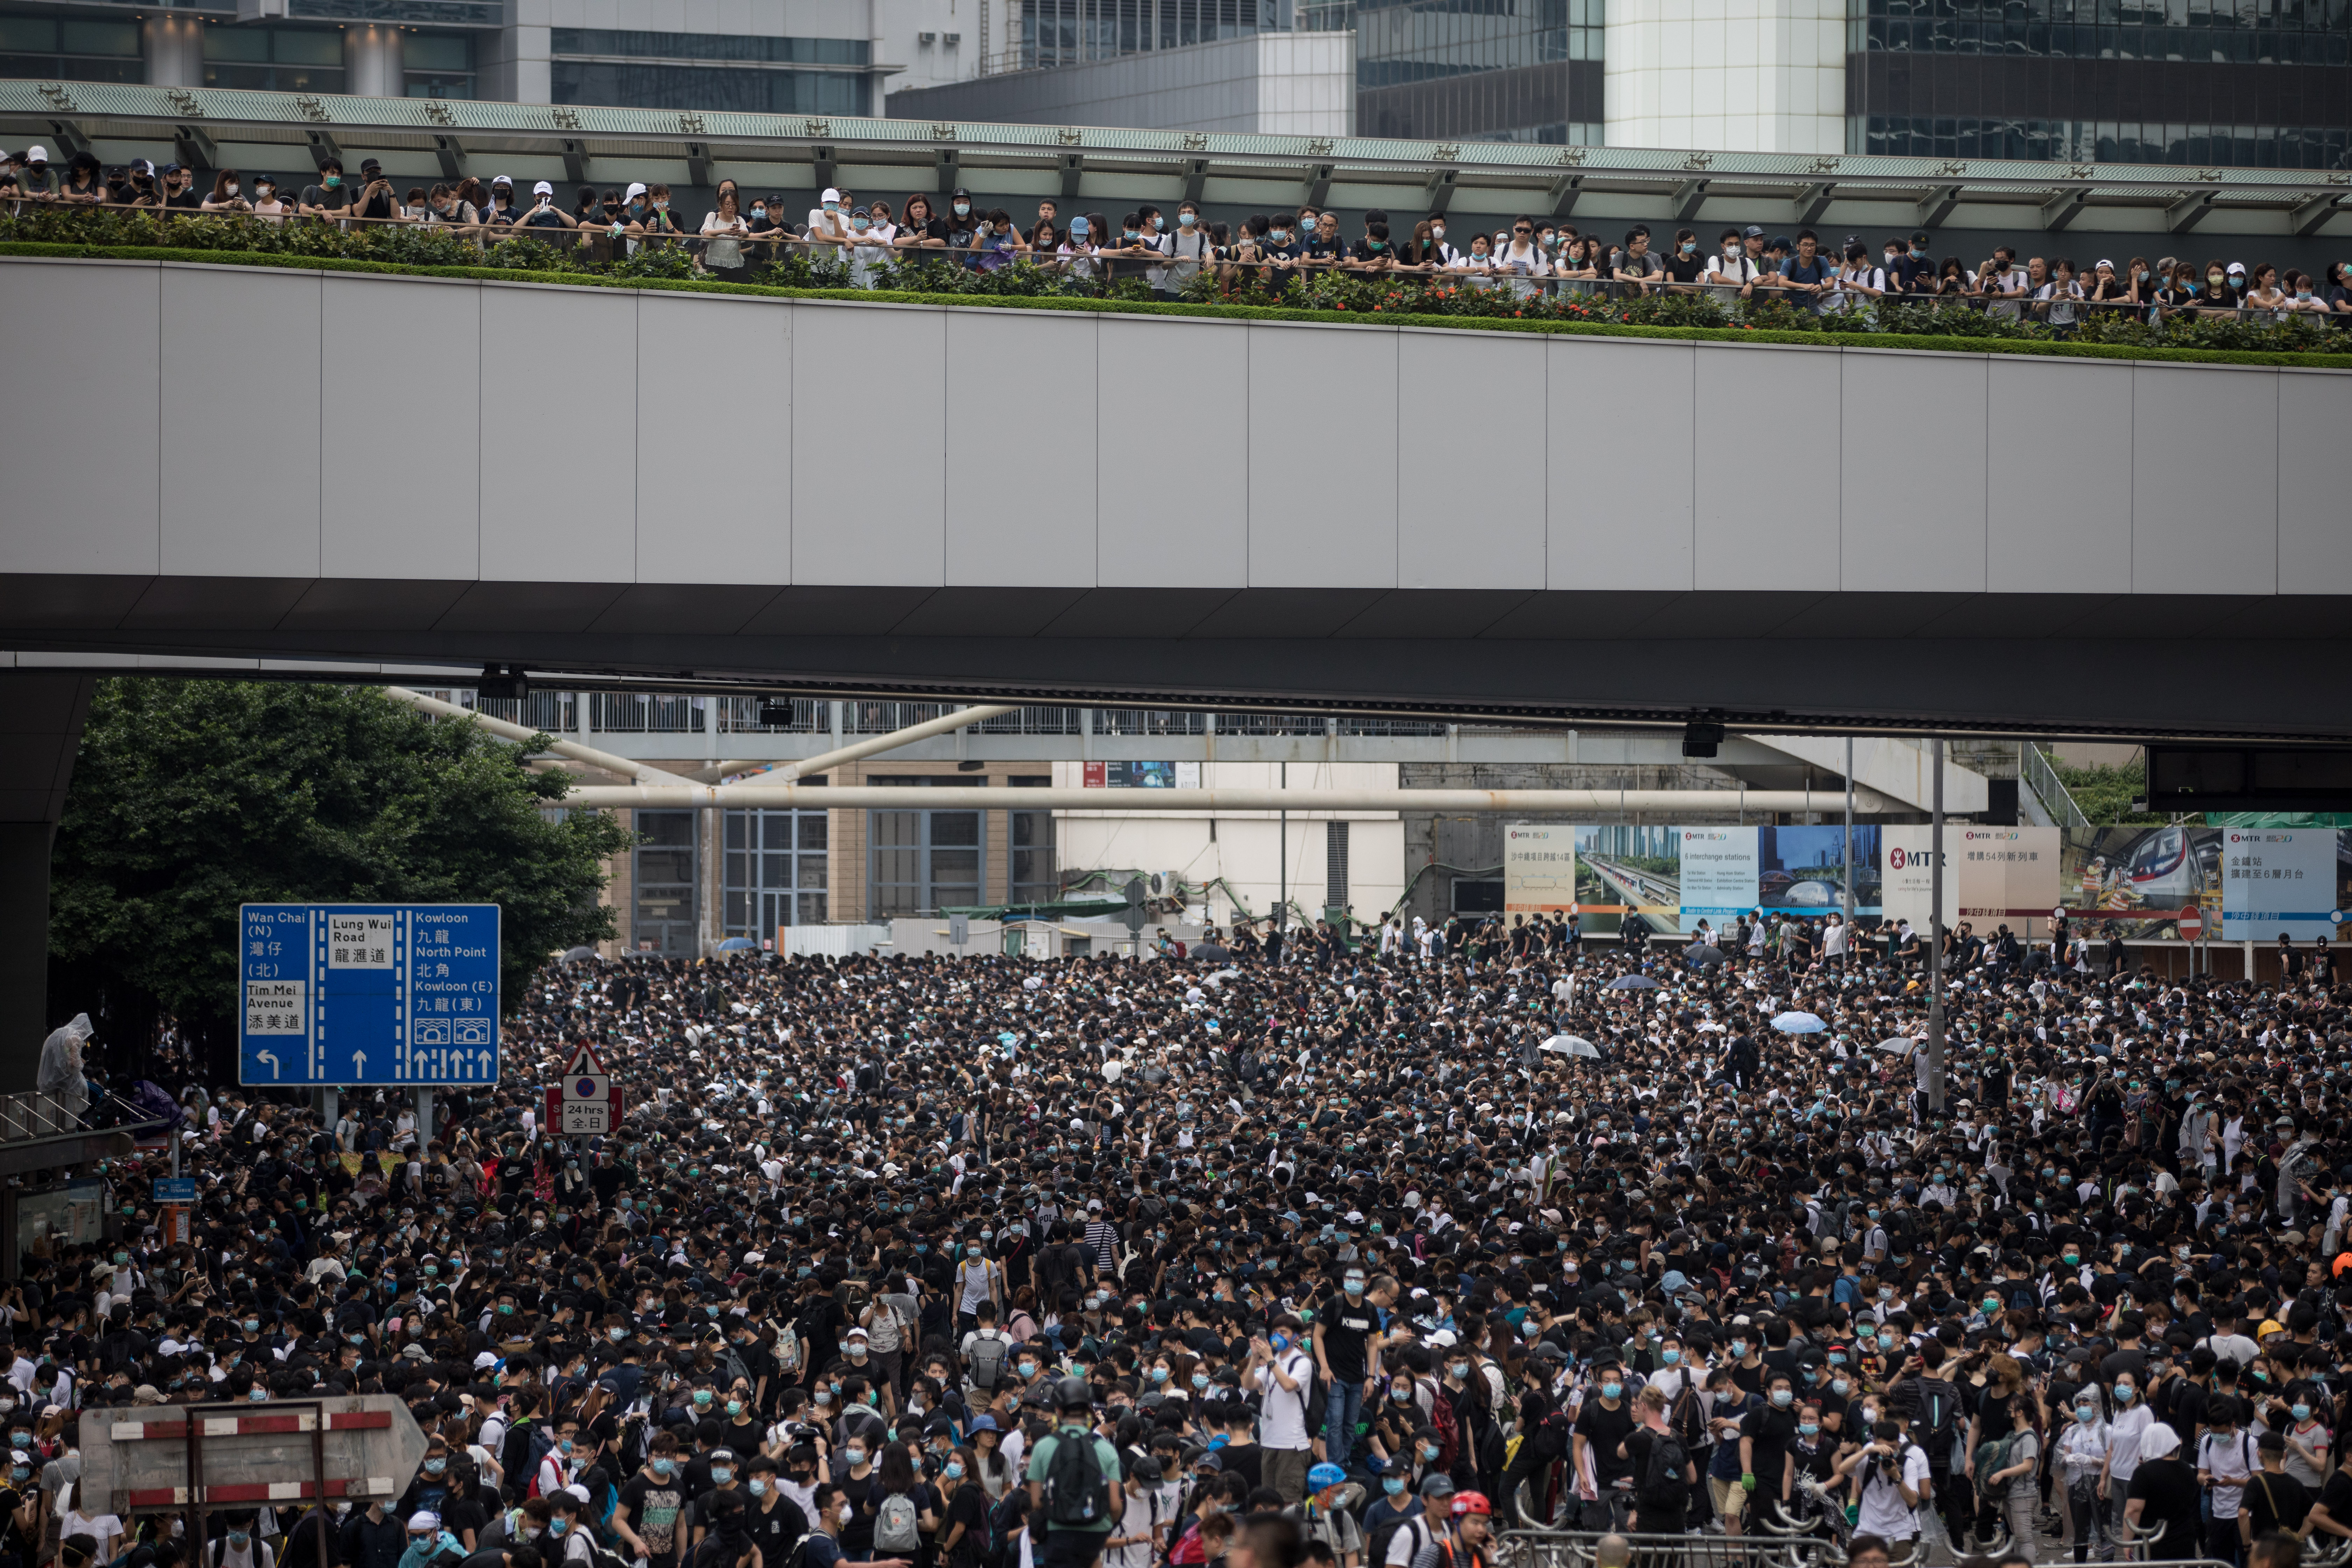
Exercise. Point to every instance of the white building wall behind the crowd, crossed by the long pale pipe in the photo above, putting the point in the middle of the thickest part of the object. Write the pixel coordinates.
(1245, 847)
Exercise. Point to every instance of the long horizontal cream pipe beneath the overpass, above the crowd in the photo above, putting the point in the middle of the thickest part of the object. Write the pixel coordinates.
(900, 798)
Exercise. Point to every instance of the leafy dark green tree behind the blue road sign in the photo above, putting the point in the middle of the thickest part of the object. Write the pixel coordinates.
(192, 798)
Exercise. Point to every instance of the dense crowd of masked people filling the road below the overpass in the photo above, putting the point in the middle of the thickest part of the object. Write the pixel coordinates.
(1335, 1252)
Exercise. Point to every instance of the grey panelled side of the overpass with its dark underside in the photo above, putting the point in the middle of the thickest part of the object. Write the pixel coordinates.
(241, 464)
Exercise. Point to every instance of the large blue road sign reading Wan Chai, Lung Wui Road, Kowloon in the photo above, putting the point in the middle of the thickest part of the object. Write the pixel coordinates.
(368, 993)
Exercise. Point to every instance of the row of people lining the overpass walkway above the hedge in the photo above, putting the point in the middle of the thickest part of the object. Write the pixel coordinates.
(1168, 250)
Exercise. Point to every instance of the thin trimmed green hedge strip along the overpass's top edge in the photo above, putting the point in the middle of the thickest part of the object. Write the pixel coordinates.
(1215, 311)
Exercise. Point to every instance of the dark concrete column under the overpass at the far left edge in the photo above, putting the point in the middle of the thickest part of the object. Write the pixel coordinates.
(41, 728)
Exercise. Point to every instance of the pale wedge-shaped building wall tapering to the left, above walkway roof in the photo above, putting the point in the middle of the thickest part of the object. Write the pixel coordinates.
(1290, 83)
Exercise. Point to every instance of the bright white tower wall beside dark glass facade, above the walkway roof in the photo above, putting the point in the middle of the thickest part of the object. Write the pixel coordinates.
(1742, 76)
